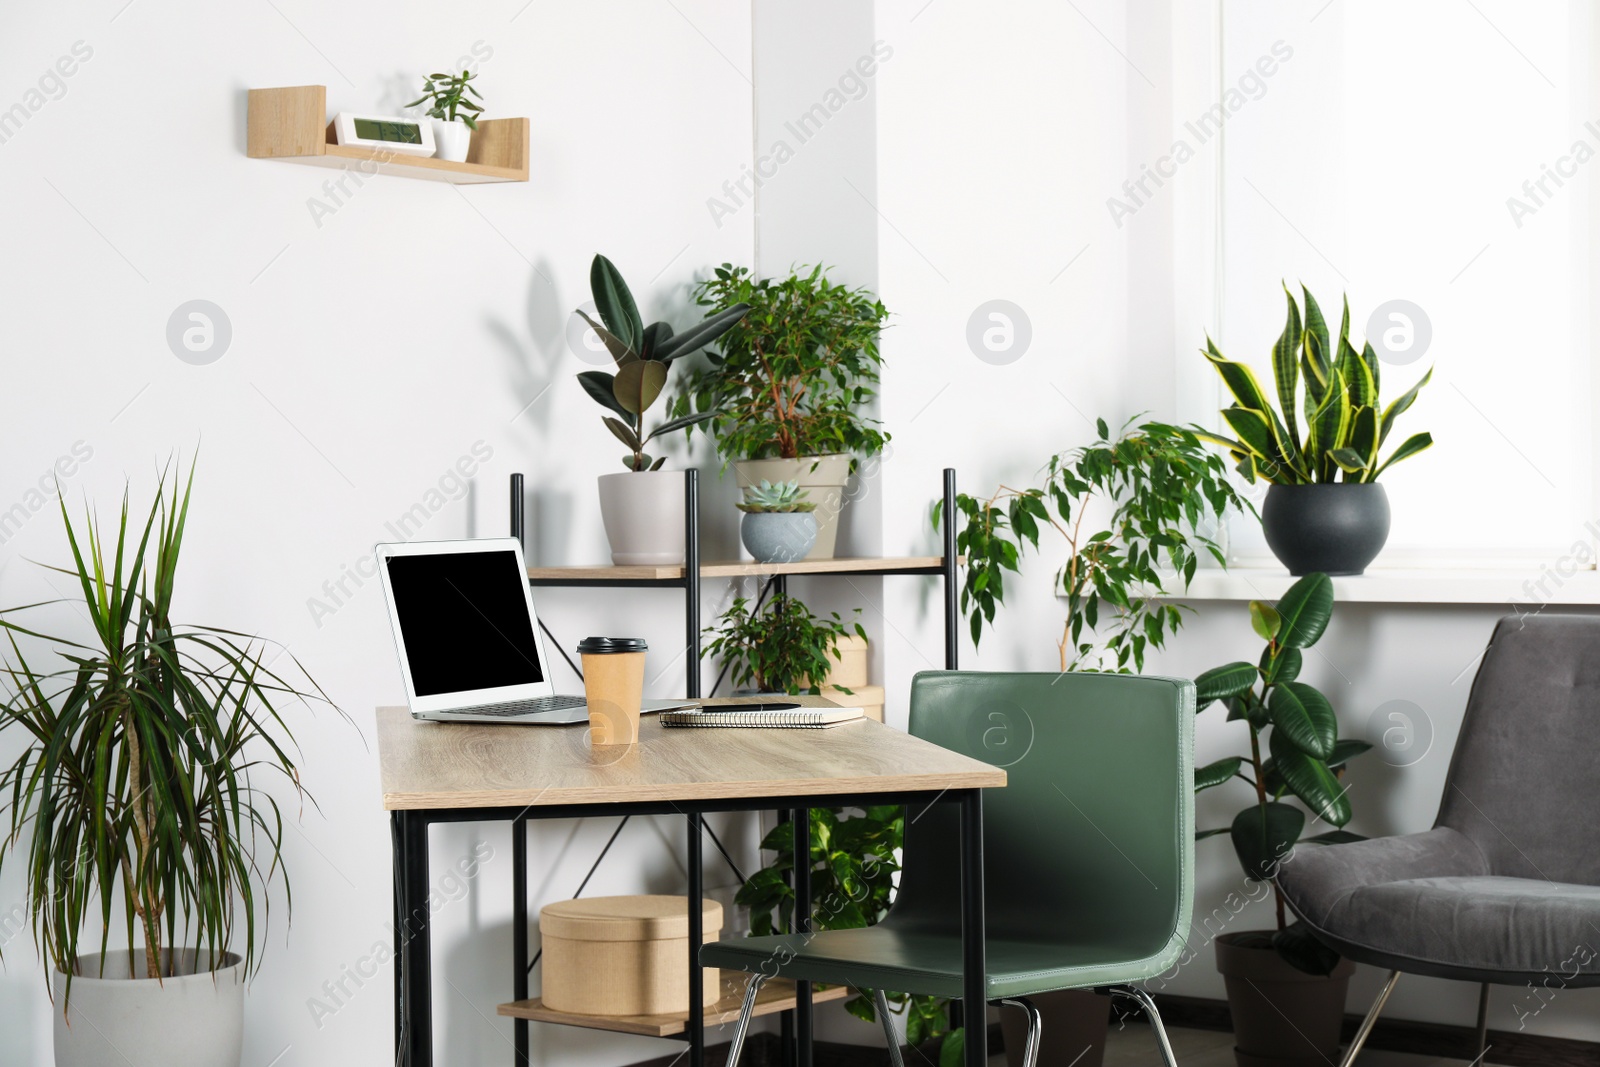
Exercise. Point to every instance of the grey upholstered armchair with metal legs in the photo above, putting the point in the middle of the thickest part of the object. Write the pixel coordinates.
(1506, 887)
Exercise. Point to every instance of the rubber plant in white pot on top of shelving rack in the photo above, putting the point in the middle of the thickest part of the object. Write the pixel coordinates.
(642, 510)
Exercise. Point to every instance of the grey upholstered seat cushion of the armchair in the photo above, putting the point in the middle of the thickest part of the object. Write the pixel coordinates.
(1476, 929)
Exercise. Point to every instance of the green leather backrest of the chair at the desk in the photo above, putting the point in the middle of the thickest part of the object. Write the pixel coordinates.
(1095, 828)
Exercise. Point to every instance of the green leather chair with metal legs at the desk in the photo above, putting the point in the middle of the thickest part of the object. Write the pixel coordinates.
(1089, 852)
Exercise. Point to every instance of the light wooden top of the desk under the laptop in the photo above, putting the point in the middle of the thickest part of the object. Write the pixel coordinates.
(468, 765)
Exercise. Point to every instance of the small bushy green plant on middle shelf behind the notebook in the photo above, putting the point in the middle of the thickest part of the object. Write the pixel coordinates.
(778, 647)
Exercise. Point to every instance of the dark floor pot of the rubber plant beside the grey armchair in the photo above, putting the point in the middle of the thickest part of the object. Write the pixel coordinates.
(1282, 1017)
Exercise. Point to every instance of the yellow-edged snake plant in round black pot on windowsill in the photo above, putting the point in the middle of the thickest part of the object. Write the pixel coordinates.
(1324, 510)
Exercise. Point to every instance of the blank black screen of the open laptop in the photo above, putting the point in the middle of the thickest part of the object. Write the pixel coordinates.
(465, 621)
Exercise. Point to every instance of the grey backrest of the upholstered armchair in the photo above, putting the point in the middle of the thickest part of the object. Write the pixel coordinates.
(1526, 775)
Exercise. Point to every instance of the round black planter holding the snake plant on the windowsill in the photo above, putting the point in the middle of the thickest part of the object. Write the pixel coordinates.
(1337, 529)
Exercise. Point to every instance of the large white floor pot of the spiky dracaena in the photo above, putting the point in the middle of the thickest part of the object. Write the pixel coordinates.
(183, 1021)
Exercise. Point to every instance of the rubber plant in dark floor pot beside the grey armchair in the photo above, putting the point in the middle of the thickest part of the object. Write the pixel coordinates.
(1286, 988)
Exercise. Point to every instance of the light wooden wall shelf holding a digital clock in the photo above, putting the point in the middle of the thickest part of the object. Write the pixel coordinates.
(292, 124)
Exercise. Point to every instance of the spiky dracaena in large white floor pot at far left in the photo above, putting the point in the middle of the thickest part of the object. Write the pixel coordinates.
(138, 804)
